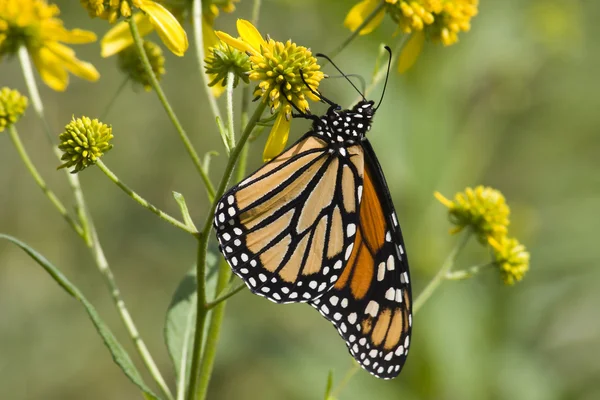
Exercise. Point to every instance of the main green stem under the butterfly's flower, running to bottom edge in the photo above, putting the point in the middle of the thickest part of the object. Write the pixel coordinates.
(195, 391)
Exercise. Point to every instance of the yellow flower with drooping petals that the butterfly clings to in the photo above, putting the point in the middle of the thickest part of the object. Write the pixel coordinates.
(276, 66)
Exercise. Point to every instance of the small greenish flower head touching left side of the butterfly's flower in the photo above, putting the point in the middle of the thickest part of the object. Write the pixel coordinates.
(222, 59)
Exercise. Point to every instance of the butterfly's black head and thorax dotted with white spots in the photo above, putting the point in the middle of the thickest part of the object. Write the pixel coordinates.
(342, 126)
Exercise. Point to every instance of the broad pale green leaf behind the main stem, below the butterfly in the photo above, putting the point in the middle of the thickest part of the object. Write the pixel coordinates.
(181, 320)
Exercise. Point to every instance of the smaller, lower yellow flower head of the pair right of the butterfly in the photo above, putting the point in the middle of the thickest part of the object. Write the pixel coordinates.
(511, 257)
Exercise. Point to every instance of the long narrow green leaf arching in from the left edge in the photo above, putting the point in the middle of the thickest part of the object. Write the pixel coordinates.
(119, 354)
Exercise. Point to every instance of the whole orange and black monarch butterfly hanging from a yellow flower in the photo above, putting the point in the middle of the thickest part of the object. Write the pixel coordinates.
(317, 224)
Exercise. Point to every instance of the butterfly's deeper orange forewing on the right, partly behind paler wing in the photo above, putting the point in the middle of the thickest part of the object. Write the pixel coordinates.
(371, 304)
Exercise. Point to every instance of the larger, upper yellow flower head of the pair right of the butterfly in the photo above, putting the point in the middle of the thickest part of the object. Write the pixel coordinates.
(483, 209)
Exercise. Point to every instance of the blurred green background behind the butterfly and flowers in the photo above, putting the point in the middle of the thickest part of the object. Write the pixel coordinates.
(514, 105)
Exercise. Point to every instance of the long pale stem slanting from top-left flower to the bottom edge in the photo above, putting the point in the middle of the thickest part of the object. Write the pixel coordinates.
(90, 236)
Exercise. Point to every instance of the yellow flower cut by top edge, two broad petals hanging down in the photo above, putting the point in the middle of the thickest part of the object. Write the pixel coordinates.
(154, 16)
